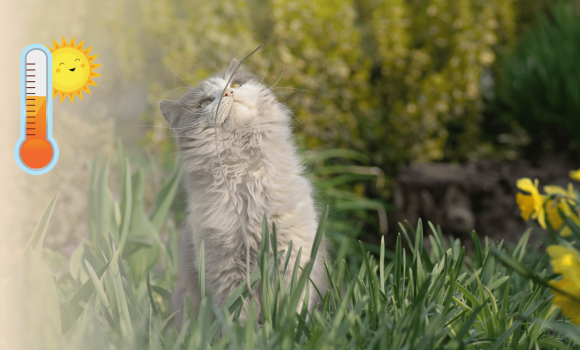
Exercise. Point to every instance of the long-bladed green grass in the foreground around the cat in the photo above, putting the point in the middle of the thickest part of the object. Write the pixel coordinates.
(115, 292)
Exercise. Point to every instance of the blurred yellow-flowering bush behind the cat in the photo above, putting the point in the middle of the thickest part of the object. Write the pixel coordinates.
(399, 81)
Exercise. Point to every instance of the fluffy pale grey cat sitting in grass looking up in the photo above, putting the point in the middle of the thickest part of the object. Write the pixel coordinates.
(264, 175)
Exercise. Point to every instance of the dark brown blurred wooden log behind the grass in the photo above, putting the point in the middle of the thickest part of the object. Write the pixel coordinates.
(477, 196)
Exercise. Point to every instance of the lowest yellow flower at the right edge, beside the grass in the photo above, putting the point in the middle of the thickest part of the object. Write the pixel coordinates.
(566, 262)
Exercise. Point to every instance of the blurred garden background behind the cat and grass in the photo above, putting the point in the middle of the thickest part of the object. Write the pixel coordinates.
(378, 89)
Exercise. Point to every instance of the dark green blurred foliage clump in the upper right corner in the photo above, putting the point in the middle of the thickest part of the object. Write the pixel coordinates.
(542, 79)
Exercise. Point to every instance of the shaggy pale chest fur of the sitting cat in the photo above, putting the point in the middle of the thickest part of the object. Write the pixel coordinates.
(259, 182)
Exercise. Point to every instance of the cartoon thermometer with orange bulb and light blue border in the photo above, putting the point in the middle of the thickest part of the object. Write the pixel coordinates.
(36, 152)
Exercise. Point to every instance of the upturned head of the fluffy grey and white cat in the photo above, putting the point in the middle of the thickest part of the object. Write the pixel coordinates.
(246, 104)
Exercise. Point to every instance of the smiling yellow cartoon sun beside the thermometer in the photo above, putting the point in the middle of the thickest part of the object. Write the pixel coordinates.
(72, 70)
